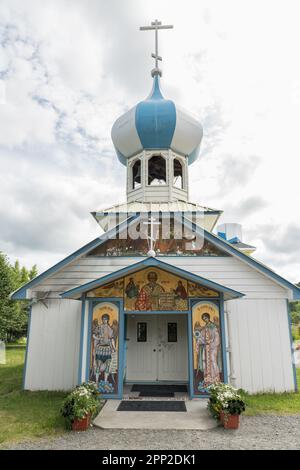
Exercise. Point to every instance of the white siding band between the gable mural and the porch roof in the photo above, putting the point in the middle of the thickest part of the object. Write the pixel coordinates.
(227, 271)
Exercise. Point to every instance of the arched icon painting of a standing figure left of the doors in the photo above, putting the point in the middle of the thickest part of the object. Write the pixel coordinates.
(104, 347)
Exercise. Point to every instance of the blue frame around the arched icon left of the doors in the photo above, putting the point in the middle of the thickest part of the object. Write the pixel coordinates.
(119, 303)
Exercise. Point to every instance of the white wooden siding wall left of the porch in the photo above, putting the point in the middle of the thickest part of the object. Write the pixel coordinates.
(53, 348)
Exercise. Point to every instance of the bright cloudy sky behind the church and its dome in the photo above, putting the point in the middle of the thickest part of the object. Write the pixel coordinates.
(69, 68)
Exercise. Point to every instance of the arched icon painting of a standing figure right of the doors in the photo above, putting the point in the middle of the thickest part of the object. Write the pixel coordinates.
(207, 348)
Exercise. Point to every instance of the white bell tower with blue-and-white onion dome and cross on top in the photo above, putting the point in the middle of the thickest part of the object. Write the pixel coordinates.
(157, 141)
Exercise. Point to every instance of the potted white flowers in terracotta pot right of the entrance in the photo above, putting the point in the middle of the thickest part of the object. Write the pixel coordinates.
(226, 404)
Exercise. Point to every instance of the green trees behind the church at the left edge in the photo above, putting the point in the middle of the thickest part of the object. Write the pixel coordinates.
(13, 315)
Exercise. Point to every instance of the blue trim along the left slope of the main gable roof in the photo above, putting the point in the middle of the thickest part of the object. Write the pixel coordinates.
(20, 294)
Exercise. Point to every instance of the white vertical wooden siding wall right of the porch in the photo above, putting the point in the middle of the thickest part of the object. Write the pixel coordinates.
(260, 344)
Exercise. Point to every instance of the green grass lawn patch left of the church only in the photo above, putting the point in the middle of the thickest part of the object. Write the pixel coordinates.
(25, 415)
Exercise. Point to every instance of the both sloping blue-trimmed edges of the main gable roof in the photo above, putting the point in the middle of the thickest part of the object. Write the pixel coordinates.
(20, 294)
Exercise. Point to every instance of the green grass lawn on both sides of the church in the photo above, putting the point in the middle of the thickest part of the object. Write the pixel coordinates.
(26, 415)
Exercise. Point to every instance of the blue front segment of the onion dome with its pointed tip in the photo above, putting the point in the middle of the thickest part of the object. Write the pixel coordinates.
(155, 120)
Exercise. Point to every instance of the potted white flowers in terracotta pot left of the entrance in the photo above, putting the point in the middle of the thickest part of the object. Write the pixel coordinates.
(80, 406)
